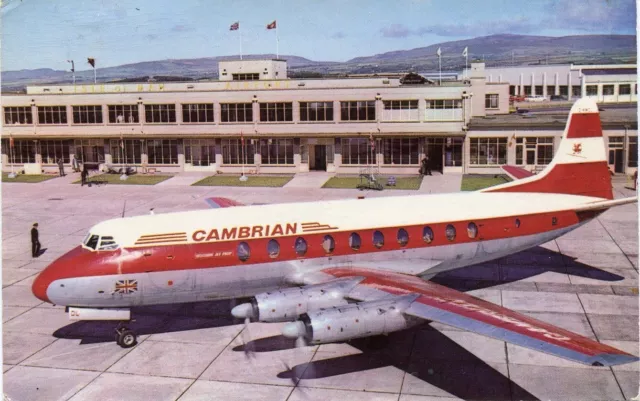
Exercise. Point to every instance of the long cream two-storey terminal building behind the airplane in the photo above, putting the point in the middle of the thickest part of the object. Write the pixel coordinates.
(255, 117)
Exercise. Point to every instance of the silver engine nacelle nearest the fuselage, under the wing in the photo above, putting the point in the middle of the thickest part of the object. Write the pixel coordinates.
(289, 303)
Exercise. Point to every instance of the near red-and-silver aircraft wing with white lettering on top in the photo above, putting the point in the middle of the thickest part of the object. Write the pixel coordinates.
(444, 305)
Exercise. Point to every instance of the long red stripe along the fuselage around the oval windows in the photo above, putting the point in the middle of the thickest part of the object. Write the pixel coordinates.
(224, 253)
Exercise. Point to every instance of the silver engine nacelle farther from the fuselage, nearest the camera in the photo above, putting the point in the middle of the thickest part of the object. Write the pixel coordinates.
(353, 321)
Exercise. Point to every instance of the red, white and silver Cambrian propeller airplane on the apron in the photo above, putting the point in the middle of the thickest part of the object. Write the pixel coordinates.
(344, 269)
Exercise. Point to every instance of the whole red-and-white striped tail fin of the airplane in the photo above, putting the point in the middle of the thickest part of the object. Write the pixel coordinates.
(579, 167)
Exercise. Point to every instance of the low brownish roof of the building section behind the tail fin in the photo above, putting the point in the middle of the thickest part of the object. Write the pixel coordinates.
(612, 117)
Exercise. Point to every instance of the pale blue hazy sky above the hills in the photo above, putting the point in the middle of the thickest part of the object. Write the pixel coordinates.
(47, 33)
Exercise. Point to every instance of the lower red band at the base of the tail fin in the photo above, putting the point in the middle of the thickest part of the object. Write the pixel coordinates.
(587, 179)
